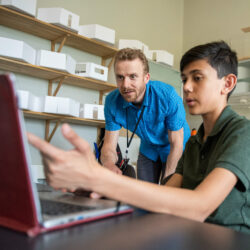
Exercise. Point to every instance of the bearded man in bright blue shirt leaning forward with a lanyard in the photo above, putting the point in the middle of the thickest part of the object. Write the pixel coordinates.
(157, 109)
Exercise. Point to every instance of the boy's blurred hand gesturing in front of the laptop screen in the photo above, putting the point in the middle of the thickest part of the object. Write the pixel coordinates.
(68, 170)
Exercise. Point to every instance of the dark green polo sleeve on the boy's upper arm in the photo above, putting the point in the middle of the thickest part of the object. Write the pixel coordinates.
(234, 153)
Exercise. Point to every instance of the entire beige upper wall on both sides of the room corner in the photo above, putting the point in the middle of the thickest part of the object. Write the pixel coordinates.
(172, 25)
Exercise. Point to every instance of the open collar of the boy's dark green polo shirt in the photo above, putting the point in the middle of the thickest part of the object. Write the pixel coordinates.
(226, 115)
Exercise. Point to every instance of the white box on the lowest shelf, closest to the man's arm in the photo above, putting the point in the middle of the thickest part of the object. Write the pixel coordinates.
(92, 111)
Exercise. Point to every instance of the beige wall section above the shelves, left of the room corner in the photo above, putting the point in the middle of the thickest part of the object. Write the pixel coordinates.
(158, 23)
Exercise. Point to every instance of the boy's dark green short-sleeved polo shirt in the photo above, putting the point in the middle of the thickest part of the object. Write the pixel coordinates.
(228, 146)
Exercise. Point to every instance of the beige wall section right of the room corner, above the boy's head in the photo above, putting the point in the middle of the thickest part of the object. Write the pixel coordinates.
(206, 21)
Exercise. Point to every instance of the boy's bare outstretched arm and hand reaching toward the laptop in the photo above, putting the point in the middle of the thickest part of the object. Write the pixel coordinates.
(78, 168)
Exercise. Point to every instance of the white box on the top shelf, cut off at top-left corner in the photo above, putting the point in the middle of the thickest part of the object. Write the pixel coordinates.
(24, 6)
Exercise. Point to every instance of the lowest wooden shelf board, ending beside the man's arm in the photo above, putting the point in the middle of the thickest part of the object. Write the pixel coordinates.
(68, 119)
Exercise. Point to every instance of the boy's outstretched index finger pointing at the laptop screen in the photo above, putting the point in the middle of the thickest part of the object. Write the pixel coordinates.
(44, 147)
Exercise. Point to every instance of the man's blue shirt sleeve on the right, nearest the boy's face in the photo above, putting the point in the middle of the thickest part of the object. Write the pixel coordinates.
(176, 115)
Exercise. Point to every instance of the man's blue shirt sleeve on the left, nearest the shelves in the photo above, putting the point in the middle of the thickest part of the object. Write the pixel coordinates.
(109, 111)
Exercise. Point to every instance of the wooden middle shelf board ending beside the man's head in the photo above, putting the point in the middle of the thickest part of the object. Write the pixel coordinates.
(11, 65)
